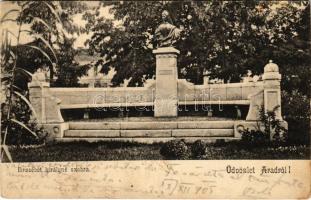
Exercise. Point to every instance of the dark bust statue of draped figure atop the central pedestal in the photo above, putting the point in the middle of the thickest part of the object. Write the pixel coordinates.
(166, 34)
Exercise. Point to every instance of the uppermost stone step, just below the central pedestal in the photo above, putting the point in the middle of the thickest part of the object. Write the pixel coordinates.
(151, 125)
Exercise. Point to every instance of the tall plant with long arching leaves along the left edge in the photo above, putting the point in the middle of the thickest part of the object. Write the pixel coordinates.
(17, 114)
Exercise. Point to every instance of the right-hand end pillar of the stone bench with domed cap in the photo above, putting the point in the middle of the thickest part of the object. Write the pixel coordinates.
(272, 90)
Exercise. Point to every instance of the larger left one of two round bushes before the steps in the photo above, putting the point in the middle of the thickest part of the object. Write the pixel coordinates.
(175, 149)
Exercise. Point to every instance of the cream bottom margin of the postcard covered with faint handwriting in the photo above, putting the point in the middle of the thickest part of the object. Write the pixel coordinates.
(151, 179)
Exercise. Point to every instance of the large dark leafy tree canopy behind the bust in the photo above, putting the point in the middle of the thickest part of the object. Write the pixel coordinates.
(223, 37)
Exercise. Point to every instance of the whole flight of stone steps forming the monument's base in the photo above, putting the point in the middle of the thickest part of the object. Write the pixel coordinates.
(151, 131)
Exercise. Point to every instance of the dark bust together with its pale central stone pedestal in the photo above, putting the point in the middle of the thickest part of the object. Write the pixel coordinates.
(166, 98)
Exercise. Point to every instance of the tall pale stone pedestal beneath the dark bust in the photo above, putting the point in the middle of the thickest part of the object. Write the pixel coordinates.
(166, 99)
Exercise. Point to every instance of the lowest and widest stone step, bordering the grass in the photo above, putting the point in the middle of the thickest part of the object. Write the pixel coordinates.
(149, 140)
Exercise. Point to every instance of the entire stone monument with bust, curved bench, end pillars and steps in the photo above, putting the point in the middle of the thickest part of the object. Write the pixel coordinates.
(164, 95)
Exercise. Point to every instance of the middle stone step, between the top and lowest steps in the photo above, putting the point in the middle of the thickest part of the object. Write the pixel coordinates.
(150, 133)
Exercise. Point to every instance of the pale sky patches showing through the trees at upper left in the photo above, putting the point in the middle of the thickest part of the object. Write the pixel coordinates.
(5, 6)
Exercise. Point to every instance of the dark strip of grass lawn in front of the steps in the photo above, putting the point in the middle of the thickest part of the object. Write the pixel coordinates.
(84, 151)
